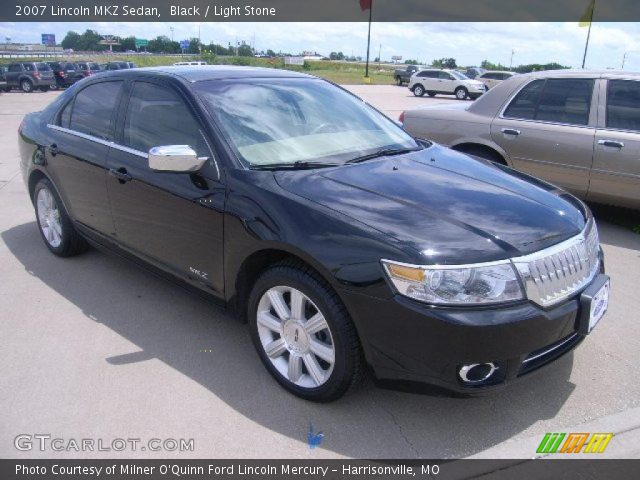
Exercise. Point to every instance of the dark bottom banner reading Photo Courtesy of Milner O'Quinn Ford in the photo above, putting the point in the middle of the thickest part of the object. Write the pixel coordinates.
(316, 469)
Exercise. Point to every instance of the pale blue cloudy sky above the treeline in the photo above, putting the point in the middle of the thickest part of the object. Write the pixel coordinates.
(468, 43)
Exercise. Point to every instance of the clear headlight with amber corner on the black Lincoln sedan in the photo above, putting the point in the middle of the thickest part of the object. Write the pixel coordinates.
(444, 285)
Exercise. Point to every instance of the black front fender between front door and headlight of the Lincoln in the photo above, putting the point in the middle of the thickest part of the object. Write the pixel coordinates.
(261, 216)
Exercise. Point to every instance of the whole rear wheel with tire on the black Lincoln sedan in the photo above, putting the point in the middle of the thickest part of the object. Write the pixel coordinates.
(54, 223)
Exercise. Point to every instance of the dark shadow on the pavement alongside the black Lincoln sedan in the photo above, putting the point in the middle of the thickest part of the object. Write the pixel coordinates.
(205, 344)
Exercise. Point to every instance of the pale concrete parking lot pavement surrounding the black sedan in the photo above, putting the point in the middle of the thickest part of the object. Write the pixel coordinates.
(94, 347)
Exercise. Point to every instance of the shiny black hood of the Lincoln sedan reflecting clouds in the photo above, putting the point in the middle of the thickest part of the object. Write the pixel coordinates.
(449, 208)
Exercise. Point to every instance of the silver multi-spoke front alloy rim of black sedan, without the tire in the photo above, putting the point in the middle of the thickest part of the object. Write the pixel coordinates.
(295, 336)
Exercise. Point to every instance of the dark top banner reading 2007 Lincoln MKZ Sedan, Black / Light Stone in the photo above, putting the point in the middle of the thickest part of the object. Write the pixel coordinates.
(319, 10)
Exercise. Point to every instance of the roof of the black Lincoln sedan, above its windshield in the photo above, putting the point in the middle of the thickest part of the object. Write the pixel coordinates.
(197, 73)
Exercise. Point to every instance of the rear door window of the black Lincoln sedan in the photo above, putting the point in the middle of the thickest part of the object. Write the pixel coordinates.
(94, 108)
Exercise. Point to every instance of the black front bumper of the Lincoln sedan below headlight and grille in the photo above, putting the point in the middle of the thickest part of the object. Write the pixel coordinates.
(405, 340)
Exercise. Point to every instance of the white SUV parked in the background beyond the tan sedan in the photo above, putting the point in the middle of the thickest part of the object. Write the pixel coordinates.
(447, 82)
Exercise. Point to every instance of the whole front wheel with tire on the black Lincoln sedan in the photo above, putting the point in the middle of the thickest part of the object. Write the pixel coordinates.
(303, 333)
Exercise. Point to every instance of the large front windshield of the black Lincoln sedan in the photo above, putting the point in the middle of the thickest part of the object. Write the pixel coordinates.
(284, 121)
